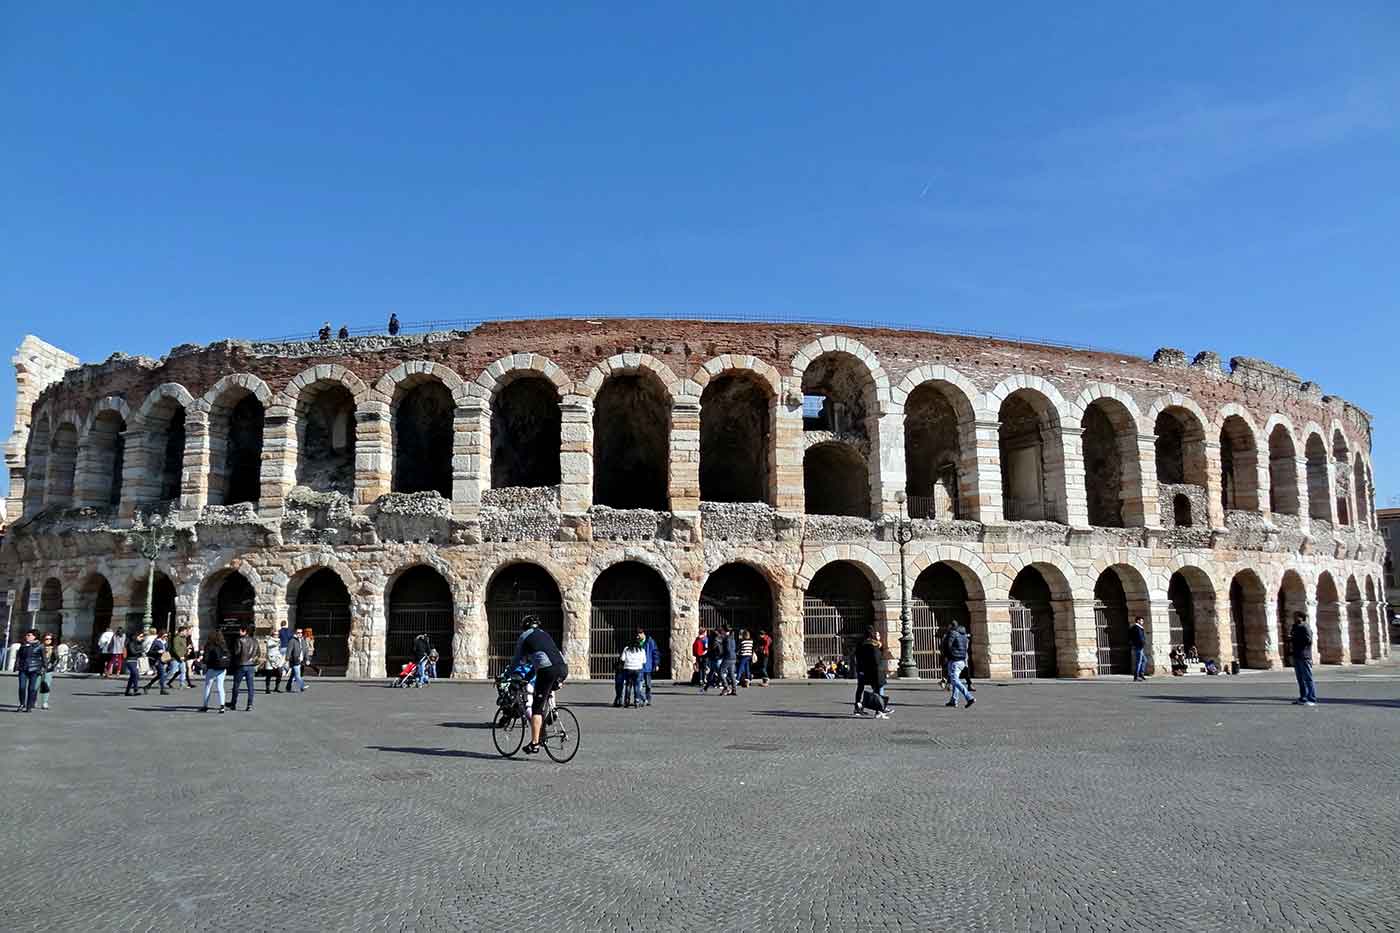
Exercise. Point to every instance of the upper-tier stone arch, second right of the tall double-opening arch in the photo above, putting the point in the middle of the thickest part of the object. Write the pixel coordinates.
(1032, 450)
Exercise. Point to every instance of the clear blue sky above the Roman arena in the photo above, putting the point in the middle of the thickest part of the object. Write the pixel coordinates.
(1125, 176)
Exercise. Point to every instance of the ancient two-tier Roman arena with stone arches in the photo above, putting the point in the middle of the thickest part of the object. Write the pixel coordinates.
(622, 474)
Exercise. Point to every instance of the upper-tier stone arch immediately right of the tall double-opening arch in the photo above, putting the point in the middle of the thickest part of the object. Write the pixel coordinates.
(940, 408)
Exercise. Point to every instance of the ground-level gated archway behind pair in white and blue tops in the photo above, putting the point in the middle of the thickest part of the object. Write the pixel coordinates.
(628, 599)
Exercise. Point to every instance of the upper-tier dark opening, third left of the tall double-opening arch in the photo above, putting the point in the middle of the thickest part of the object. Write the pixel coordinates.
(526, 435)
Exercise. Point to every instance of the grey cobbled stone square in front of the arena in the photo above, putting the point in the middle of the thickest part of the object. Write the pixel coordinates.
(1202, 805)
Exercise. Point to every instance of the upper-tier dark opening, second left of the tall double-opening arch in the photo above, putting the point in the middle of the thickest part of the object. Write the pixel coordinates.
(632, 443)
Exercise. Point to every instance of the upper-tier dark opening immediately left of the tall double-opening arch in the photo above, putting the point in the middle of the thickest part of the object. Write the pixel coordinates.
(734, 441)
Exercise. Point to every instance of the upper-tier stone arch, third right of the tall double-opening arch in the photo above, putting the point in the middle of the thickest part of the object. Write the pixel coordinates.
(1114, 470)
